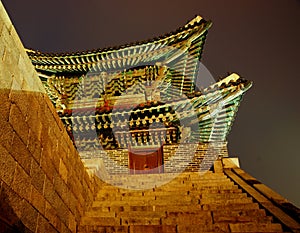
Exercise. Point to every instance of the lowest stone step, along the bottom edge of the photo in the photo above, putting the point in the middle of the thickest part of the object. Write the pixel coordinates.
(175, 224)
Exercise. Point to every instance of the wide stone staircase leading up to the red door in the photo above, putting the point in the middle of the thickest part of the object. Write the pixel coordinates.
(191, 202)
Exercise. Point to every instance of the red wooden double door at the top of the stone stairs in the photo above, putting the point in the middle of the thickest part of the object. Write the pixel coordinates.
(145, 160)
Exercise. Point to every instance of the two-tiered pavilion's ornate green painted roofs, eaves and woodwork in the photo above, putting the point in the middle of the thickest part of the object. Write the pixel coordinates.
(141, 96)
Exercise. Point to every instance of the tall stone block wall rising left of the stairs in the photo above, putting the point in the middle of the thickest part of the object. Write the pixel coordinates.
(44, 185)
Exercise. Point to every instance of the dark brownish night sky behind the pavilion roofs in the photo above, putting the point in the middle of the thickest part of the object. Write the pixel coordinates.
(258, 39)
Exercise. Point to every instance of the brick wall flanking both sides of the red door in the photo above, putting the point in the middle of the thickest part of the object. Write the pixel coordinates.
(177, 158)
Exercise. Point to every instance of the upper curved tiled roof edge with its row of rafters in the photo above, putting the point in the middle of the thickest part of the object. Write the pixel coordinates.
(124, 55)
